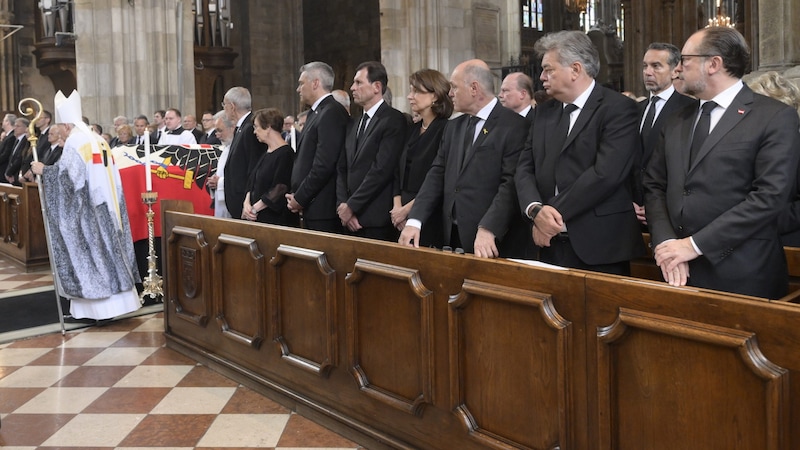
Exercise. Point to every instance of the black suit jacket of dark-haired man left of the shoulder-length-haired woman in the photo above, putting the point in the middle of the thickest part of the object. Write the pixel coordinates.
(368, 165)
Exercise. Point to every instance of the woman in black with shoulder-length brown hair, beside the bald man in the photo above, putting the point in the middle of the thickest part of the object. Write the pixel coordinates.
(429, 100)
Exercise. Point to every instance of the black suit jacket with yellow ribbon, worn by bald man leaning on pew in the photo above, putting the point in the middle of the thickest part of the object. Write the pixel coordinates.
(482, 191)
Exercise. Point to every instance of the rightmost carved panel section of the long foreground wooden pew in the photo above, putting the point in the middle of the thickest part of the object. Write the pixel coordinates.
(682, 368)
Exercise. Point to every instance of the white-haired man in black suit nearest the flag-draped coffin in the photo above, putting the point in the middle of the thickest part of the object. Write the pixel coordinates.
(245, 149)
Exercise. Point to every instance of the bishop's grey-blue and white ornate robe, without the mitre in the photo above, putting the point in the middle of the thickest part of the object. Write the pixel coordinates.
(89, 229)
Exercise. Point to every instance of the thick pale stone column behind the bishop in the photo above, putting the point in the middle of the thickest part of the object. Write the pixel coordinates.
(130, 58)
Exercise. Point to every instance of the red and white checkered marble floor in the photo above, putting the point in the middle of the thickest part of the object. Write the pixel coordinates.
(118, 386)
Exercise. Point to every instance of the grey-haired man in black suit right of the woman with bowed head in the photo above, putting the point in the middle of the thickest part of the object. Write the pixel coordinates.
(319, 146)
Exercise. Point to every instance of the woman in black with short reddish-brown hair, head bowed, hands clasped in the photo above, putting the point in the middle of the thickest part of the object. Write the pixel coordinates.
(270, 179)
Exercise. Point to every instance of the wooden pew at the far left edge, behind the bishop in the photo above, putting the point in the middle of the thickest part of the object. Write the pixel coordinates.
(22, 237)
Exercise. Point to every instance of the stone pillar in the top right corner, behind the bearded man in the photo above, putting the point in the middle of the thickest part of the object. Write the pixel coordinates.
(779, 43)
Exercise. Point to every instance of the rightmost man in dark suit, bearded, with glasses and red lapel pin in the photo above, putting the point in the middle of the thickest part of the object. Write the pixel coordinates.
(715, 188)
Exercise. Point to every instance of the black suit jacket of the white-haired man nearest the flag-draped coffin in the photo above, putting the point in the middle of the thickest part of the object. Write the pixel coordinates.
(245, 151)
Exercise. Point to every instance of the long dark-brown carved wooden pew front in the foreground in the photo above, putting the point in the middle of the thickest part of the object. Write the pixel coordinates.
(403, 348)
